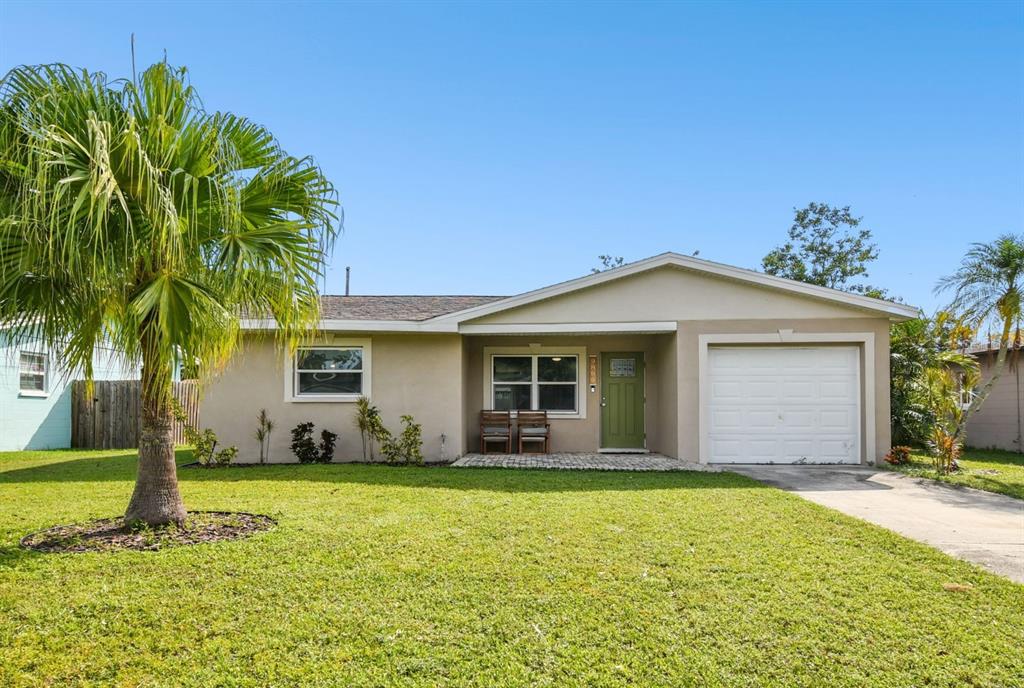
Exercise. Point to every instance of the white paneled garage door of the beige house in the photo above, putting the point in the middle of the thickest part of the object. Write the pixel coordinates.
(784, 405)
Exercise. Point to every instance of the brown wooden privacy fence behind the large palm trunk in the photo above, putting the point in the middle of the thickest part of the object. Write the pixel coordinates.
(109, 419)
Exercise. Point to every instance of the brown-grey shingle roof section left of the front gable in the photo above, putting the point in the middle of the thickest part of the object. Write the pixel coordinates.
(397, 308)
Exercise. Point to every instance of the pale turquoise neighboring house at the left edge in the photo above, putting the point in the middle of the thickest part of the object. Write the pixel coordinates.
(35, 394)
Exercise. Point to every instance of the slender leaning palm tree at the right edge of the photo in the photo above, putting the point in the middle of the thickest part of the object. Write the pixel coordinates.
(988, 289)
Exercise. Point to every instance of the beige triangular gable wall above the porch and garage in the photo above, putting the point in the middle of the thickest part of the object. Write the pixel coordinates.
(672, 294)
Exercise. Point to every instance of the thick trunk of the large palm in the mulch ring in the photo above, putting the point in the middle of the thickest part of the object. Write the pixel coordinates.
(156, 500)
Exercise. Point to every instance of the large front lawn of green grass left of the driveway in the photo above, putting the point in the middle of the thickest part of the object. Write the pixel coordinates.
(401, 577)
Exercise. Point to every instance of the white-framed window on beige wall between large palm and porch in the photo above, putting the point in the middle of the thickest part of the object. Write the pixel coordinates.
(335, 372)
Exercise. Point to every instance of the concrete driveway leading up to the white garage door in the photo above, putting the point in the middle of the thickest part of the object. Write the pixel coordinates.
(971, 525)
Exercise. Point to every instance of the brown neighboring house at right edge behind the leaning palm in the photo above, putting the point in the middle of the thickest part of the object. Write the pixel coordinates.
(999, 423)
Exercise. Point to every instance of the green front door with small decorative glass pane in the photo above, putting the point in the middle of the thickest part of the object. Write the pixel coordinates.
(622, 402)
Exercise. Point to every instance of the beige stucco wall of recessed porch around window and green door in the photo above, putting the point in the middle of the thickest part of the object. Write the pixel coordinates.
(583, 435)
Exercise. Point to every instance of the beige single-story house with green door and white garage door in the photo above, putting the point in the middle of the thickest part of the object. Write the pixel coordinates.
(672, 355)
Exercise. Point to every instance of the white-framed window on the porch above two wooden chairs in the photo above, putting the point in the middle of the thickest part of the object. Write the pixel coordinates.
(536, 379)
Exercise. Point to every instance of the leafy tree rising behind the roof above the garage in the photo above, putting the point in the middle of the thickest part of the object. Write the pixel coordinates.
(828, 248)
